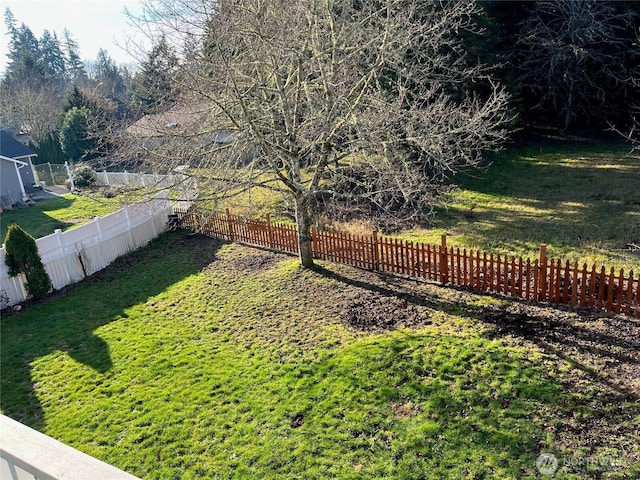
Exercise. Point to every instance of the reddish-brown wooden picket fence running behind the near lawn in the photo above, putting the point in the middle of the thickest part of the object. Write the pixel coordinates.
(538, 280)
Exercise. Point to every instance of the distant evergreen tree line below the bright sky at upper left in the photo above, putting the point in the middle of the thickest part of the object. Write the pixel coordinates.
(66, 105)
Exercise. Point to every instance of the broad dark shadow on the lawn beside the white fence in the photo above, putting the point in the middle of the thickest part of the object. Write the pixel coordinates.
(67, 320)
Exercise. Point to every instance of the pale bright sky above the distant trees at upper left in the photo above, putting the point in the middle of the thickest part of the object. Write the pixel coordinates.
(92, 23)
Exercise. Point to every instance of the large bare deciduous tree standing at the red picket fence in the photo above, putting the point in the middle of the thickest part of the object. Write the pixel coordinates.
(330, 99)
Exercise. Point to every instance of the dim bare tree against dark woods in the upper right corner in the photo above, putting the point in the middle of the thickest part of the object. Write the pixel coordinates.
(578, 59)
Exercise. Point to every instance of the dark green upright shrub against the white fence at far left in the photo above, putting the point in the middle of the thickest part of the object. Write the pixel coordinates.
(22, 256)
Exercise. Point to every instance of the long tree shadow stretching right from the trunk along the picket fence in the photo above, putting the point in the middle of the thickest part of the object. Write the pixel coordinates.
(581, 337)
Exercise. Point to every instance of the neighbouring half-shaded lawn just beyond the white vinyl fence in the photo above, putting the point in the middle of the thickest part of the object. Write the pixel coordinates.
(63, 212)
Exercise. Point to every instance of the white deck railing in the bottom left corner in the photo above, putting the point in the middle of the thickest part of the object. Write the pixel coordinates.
(28, 454)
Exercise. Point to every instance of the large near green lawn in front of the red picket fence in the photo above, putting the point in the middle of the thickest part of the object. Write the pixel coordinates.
(194, 359)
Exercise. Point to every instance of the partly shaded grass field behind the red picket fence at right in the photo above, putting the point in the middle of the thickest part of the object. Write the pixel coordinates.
(582, 200)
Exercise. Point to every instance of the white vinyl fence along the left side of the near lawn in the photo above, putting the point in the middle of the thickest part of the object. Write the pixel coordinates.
(70, 256)
